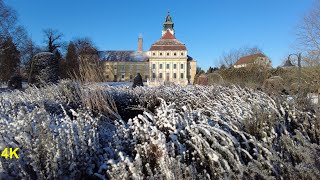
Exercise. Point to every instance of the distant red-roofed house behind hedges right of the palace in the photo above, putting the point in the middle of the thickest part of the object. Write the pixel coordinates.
(259, 59)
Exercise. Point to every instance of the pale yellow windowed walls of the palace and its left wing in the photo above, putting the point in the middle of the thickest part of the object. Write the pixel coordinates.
(180, 70)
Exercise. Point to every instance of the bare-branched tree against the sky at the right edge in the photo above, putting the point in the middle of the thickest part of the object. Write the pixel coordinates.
(308, 35)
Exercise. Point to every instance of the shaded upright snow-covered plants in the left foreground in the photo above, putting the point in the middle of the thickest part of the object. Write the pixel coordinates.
(54, 140)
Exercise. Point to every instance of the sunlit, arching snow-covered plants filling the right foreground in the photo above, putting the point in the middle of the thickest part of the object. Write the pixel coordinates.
(197, 132)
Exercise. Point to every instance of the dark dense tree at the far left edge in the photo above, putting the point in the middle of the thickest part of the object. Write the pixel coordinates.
(9, 59)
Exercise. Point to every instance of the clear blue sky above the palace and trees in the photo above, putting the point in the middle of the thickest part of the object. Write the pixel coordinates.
(207, 27)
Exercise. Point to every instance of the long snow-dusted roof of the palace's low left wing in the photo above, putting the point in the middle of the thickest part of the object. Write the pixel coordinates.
(134, 56)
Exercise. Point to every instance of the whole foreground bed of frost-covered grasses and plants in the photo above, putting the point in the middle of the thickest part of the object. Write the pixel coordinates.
(167, 132)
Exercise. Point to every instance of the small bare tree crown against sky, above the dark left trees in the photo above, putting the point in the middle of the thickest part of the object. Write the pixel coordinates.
(52, 39)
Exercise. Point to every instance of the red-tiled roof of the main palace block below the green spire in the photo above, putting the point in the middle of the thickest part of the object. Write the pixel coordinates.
(168, 42)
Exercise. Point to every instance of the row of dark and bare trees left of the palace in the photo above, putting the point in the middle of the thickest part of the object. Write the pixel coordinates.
(17, 49)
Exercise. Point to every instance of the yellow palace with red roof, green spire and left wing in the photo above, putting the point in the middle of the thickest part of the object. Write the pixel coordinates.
(166, 61)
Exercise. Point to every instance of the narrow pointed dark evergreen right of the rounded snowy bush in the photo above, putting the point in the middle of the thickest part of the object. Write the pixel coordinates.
(72, 63)
